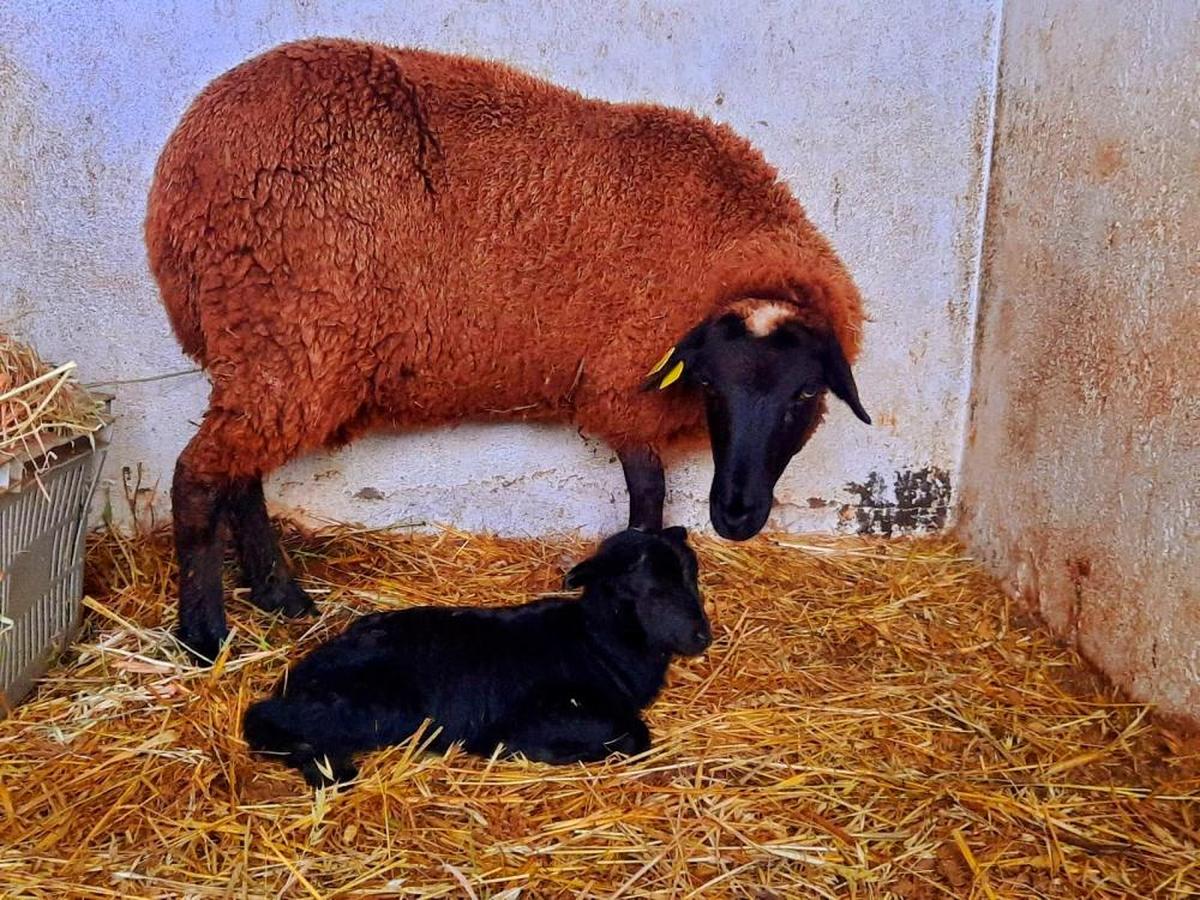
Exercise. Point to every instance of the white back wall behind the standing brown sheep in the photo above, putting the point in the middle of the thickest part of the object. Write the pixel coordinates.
(877, 112)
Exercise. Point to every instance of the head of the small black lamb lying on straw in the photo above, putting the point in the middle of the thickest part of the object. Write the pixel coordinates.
(652, 575)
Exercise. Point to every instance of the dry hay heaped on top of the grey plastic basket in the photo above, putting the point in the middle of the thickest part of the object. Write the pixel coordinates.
(41, 405)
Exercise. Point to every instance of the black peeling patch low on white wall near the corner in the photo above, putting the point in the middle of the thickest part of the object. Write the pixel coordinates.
(922, 502)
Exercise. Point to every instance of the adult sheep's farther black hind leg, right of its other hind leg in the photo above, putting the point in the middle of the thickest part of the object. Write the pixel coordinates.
(263, 567)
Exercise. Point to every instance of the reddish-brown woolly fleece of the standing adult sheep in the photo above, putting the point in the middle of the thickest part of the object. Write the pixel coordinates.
(352, 237)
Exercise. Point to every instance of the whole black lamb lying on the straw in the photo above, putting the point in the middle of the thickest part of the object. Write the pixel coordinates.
(556, 680)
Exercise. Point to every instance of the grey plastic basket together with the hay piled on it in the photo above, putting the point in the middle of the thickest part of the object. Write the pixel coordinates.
(53, 435)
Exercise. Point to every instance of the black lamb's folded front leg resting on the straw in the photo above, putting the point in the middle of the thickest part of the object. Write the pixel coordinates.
(568, 730)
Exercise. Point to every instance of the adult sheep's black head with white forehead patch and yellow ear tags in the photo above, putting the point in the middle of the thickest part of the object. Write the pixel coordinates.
(765, 376)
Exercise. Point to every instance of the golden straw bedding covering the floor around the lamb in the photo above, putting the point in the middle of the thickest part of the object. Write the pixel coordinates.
(872, 721)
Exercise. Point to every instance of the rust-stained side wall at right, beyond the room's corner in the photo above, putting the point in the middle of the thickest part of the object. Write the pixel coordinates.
(1082, 470)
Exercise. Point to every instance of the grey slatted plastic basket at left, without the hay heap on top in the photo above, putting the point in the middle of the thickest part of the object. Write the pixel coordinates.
(44, 521)
